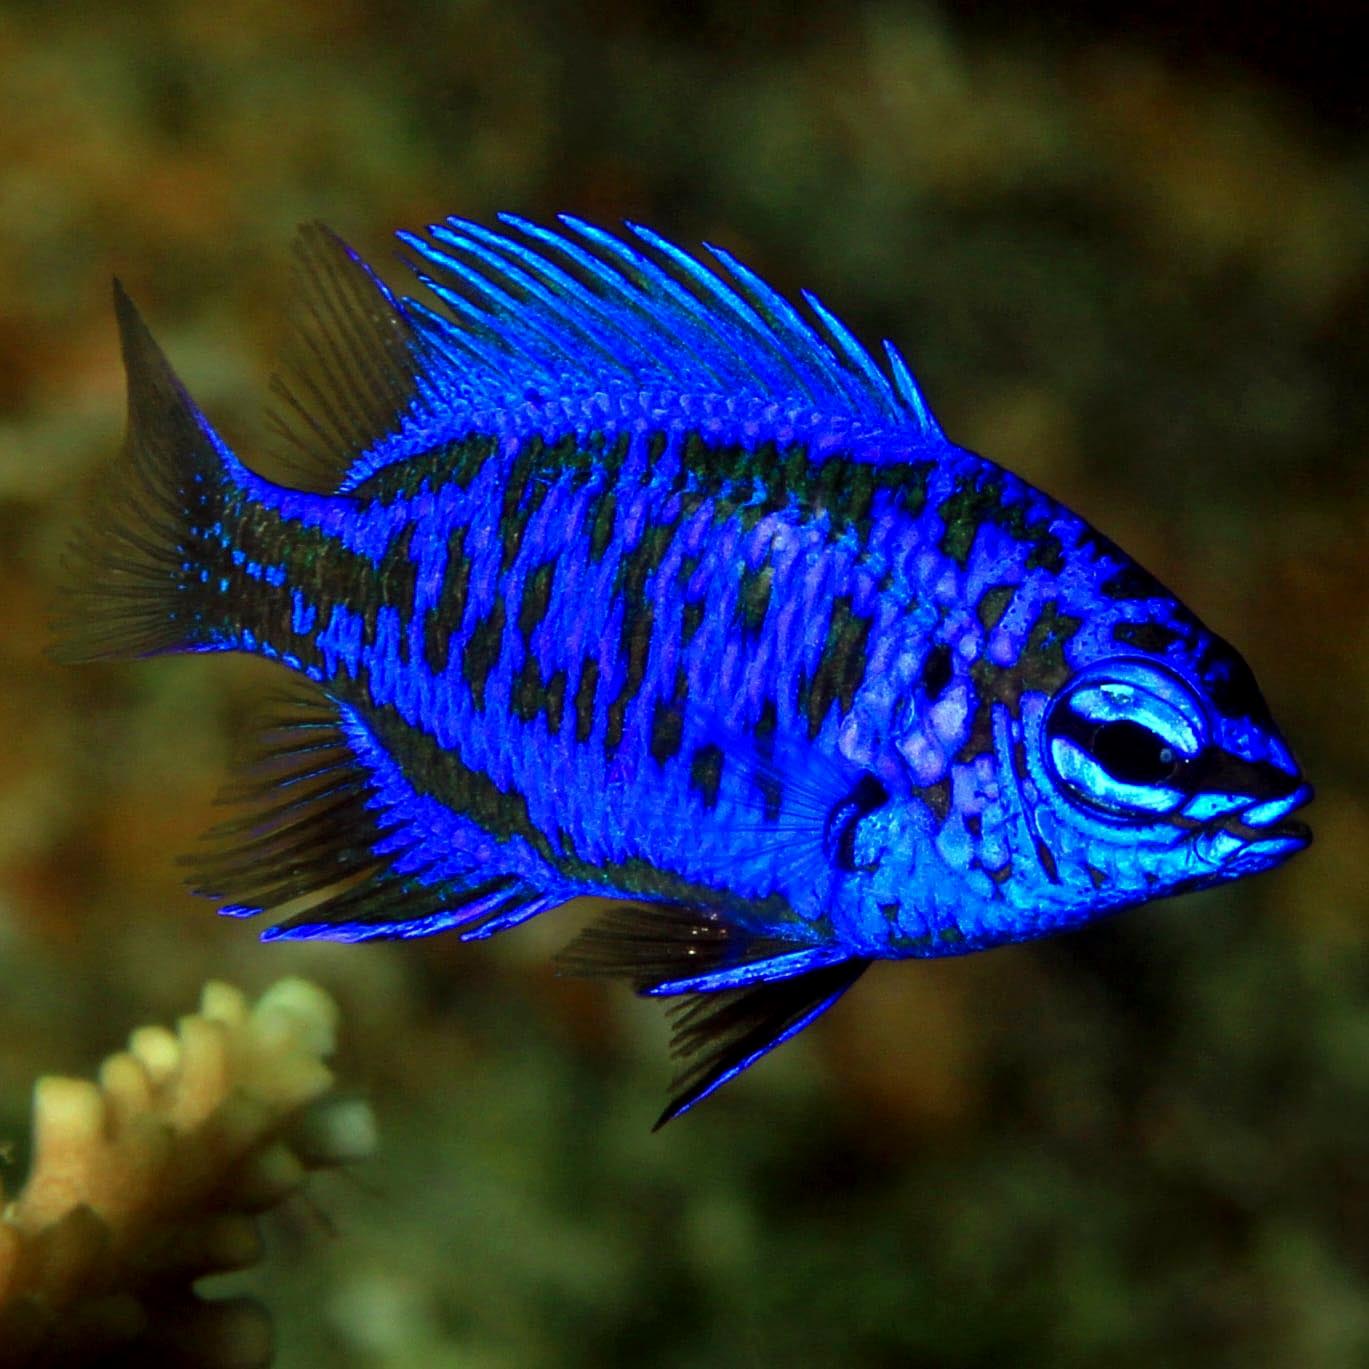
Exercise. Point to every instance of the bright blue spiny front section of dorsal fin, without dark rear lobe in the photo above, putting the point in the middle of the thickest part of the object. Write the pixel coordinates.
(581, 311)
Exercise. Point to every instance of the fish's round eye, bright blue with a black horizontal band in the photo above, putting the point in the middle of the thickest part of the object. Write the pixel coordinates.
(1119, 737)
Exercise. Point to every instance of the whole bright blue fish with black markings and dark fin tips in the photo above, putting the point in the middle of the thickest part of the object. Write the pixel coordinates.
(609, 572)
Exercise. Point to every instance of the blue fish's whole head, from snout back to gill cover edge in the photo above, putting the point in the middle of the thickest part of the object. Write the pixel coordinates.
(1099, 769)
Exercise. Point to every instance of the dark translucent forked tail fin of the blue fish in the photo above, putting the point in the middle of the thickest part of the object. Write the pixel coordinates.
(139, 570)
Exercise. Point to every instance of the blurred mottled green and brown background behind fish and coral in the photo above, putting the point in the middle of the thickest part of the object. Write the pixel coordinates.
(1129, 268)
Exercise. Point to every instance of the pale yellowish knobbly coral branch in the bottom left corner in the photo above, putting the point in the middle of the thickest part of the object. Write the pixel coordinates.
(151, 1179)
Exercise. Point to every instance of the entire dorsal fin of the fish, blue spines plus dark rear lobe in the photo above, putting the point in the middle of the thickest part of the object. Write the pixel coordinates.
(570, 321)
